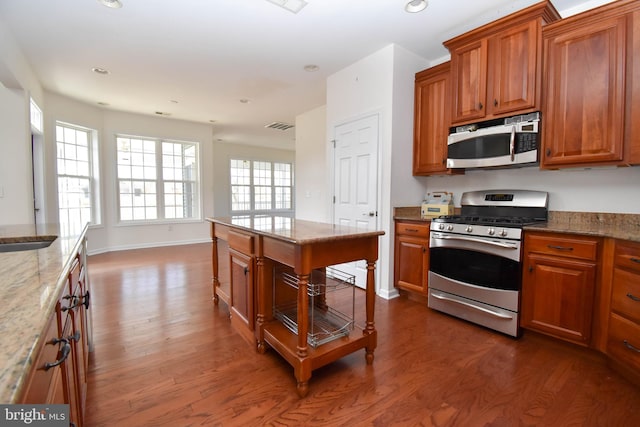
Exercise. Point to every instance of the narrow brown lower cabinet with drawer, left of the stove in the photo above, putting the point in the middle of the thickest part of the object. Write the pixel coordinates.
(411, 265)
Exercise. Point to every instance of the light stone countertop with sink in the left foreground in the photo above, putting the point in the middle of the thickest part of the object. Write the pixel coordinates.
(30, 282)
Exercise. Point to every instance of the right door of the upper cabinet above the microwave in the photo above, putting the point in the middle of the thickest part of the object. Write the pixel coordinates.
(514, 69)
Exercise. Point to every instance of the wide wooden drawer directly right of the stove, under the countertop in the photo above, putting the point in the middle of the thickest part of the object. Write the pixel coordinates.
(566, 246)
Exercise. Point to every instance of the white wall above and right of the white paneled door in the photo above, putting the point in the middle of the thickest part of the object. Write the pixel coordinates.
(381, 83)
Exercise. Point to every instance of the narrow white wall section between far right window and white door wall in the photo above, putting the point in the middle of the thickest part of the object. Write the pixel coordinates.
(311, 174)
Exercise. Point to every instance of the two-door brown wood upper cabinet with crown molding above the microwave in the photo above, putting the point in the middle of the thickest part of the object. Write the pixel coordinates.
(496, 69)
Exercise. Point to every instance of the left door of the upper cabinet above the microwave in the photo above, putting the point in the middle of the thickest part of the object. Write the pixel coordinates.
(469, 81)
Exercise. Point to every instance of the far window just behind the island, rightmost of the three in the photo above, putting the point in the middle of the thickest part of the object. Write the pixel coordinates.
(261, 186)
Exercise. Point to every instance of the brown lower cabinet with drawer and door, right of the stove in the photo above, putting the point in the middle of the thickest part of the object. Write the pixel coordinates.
(558, 285)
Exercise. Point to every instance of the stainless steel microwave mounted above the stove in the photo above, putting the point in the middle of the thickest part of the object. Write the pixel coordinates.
(512, 141)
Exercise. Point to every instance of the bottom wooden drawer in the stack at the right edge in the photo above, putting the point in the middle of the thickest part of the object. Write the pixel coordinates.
(624, 341)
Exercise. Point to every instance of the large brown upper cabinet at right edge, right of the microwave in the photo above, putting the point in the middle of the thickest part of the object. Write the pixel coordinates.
(590, 88)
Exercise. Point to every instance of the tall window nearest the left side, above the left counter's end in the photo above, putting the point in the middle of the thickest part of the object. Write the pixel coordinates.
(77, 177)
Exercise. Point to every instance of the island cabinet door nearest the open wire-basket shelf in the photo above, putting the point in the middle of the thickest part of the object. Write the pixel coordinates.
(242, 288)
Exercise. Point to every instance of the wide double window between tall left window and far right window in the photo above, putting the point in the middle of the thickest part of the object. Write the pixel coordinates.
(157, 179)
